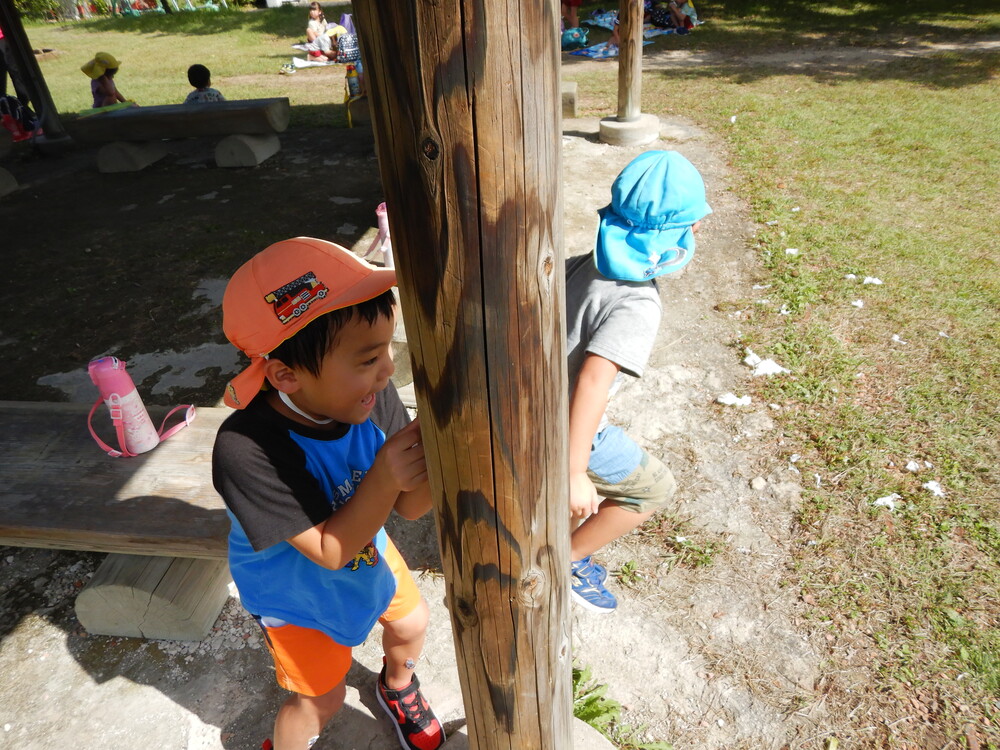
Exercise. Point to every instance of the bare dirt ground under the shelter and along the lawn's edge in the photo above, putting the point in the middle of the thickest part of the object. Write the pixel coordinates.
(708, 648)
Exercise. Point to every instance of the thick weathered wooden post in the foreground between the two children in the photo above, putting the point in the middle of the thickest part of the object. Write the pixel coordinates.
(465, 107)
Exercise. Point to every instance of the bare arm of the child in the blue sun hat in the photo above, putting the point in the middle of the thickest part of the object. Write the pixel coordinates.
(590, 399)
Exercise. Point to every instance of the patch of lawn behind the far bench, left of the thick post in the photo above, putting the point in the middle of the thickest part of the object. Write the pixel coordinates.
(244, 49)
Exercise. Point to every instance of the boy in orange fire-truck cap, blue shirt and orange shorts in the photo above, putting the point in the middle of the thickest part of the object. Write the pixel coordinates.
(310, 468)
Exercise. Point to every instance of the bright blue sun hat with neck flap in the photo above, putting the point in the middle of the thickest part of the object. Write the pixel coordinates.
(647, 230)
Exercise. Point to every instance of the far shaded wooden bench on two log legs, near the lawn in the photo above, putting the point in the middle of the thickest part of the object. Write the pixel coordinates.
(134, 135)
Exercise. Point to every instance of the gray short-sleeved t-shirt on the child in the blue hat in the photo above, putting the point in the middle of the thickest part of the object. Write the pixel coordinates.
(617, 320)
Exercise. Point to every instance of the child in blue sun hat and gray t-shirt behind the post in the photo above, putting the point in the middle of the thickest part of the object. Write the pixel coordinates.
(612, 315)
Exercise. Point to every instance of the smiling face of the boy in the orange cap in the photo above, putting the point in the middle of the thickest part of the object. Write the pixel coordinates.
(357, 368)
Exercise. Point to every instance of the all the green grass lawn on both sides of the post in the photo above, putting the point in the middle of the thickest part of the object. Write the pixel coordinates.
(884, 171)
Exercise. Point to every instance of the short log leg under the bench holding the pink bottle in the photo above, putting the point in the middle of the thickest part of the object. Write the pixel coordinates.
(154, 597)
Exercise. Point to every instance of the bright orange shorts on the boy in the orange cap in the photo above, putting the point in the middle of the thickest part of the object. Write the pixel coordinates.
(309, 661)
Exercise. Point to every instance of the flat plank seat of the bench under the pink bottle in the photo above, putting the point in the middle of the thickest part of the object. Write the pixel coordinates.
(58, 489)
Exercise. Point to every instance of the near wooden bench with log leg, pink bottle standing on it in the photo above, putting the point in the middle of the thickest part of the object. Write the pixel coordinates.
(157, 513)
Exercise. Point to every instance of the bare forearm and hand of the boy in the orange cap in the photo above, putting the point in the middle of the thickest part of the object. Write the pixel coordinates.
(399, 467)
